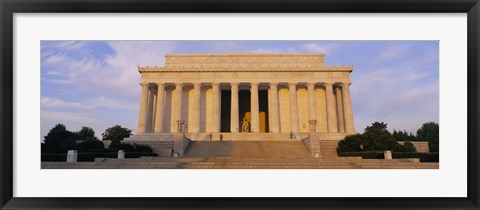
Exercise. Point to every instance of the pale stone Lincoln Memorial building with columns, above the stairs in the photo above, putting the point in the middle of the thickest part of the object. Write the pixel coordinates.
(244, 97)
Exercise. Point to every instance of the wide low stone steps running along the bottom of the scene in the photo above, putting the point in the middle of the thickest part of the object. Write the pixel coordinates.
(243, 163)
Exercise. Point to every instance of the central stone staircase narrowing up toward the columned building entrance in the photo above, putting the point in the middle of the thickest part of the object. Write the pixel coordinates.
(247, 149)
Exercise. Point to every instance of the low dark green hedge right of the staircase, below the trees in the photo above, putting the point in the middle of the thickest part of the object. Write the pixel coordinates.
(424, 157)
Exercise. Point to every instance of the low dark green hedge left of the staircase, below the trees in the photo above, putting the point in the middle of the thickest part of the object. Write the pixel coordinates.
(90, 156)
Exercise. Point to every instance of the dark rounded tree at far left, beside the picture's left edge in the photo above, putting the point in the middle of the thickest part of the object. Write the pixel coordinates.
(55, 139)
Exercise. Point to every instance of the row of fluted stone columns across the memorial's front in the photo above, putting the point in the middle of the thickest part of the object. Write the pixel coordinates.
(338, 104)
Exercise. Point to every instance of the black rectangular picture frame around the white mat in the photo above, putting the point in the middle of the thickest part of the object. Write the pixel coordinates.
(10, 7)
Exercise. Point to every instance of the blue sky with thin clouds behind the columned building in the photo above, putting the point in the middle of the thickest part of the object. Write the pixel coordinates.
(96, 83)
